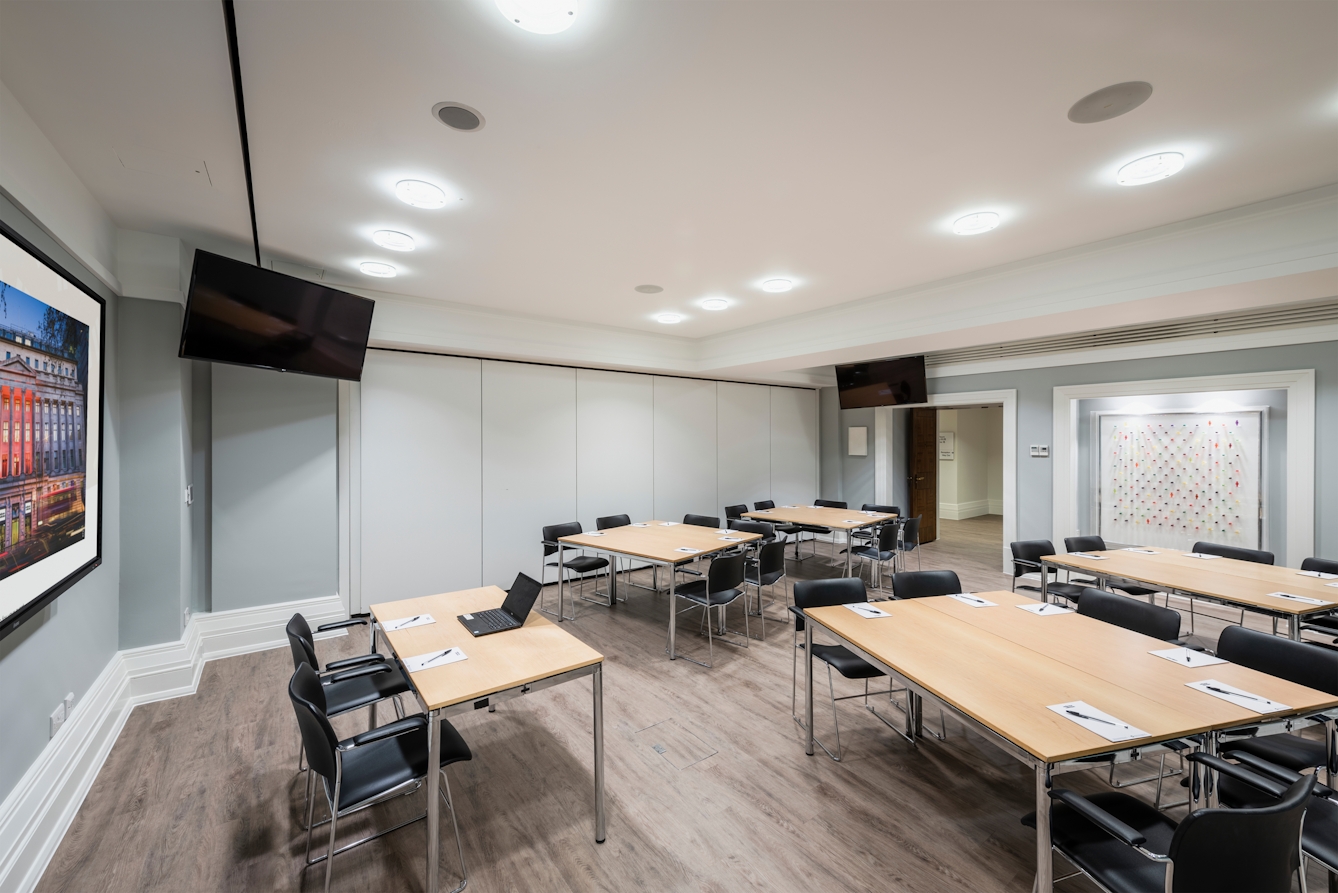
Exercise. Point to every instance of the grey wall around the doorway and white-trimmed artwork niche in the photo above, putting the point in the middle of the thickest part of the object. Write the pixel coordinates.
(1036, 394)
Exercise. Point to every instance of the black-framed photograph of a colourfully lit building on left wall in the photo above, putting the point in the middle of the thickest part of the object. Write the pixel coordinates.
(52, 380)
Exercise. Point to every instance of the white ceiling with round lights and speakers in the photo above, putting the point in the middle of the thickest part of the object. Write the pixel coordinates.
(699, 147)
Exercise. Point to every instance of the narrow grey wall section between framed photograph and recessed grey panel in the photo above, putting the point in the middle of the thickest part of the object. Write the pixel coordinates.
(155, 406)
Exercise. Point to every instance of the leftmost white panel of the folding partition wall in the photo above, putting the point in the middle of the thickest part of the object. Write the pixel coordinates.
(421, 476)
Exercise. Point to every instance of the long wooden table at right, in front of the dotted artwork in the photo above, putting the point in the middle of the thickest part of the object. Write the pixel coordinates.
(1229, 582)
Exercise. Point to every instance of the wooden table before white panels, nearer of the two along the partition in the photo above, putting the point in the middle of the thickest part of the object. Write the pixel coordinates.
(658, 543)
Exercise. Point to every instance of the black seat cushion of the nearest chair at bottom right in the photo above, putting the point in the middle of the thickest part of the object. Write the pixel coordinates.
(1119, 868)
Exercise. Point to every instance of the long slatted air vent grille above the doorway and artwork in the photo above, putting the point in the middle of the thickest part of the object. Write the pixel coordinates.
(1254, 321)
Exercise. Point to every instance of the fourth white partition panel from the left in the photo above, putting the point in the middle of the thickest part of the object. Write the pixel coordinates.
(686, 449)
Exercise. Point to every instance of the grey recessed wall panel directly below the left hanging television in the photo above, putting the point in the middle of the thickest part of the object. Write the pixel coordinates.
(275, 488)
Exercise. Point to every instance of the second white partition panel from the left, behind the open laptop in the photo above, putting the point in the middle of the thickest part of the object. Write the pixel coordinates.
(529, 464)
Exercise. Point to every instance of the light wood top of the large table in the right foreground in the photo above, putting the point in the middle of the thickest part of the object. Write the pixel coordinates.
(1007, 686)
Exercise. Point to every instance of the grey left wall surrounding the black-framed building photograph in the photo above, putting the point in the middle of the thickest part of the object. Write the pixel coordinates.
(69, 645)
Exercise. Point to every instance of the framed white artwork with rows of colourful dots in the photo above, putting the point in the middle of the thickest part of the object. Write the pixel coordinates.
(1177, 479)
